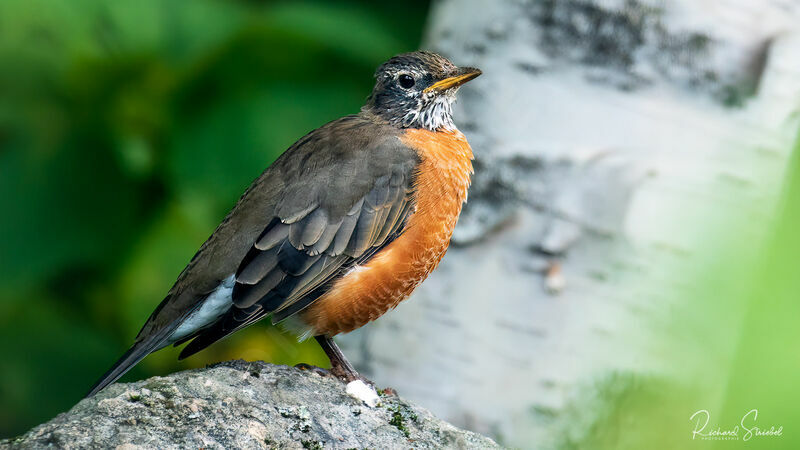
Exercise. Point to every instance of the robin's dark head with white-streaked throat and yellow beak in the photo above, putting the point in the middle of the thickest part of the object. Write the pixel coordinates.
(417, 90)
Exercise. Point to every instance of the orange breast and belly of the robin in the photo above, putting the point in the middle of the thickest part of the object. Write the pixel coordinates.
(367, 292)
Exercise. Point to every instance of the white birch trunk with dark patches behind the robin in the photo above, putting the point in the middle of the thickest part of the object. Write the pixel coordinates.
(611, 137)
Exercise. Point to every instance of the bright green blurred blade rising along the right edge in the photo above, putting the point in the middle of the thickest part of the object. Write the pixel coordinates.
(766, 366)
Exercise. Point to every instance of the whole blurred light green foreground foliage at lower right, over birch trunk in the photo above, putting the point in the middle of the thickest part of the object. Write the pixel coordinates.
(729, 343)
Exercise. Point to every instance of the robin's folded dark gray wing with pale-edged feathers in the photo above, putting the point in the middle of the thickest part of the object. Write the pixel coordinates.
(320, 229)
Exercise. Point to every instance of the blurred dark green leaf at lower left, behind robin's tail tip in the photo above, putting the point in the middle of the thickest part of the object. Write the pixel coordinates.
(49, 355)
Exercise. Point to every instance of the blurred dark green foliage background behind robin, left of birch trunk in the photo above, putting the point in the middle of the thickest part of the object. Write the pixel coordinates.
(127, 131)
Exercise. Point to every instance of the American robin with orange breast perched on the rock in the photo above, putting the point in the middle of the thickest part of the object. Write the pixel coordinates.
(338, 230)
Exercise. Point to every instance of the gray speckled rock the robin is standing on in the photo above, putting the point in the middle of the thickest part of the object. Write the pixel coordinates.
(241, 404)
